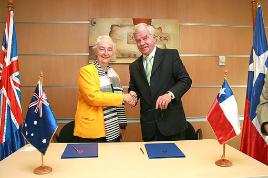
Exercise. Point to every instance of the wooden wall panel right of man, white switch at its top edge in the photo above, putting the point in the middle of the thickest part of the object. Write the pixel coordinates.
(206, 71)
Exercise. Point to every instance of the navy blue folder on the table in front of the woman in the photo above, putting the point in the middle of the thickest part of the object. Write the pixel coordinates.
(86, 150)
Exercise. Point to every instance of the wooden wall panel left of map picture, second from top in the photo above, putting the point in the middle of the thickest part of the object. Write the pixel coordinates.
(52, 38)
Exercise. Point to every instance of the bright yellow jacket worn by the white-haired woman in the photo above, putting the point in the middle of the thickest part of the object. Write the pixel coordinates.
(89, 120)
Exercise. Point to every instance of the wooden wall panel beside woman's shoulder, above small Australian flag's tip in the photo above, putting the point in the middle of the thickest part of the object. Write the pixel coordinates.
(61, 71)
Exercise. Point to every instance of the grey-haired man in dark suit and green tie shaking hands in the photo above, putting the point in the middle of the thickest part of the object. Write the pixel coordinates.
(159, 79)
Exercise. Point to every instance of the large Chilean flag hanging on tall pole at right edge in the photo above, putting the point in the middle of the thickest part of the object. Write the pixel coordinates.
(253, 142)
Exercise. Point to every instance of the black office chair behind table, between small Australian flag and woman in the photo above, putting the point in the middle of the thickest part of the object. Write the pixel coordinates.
(66, 134)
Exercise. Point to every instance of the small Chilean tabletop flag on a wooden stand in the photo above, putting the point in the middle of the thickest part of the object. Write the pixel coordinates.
(223, 115)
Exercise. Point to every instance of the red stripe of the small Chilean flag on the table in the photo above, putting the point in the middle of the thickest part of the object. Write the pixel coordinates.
(220, 124)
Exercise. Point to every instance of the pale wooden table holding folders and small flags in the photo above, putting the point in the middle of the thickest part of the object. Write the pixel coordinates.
(125, 160)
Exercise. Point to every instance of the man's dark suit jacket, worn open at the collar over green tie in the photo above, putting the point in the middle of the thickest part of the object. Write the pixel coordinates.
(168, 74)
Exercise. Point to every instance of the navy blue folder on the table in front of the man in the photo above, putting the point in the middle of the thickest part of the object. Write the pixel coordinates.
(163, 150)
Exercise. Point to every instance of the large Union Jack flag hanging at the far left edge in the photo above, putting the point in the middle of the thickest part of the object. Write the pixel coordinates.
(11, 119)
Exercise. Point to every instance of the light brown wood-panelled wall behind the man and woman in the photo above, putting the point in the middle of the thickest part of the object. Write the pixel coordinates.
(44, 40)
